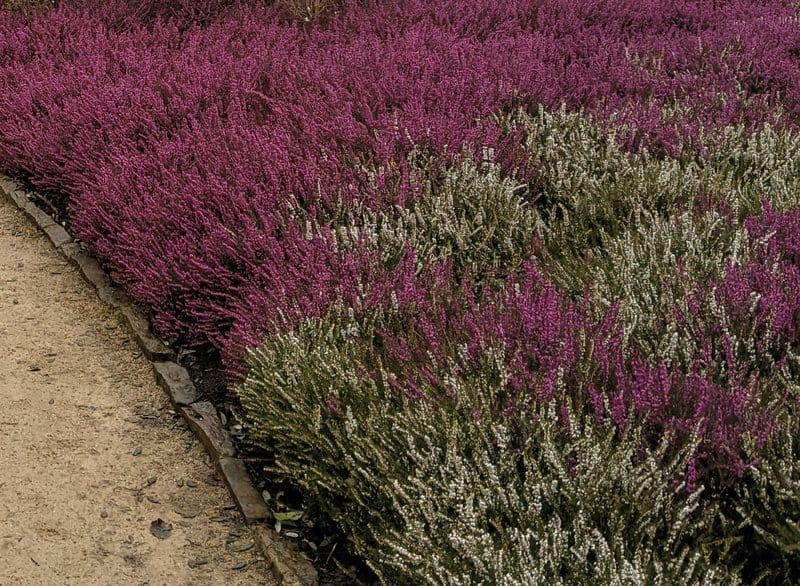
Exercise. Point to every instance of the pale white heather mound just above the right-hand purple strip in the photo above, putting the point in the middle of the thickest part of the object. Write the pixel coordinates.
(656, 267)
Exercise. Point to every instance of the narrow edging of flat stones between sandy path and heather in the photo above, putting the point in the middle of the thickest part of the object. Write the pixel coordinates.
(288, 566)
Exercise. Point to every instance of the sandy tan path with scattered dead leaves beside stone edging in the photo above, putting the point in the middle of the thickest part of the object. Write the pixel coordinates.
(90, 453)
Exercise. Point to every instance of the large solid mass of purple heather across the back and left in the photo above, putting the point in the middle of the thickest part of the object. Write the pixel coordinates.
(141, 125)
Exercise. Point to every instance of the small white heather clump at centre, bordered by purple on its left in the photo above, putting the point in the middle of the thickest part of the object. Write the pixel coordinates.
(467, 212)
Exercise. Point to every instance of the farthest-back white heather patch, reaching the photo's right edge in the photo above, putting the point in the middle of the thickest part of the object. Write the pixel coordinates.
(588, 190)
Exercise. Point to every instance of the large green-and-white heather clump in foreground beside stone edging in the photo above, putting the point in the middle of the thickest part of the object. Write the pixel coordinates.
(433, 494)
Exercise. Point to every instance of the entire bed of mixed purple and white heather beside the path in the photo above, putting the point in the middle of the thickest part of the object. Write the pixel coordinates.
(530, 267)
